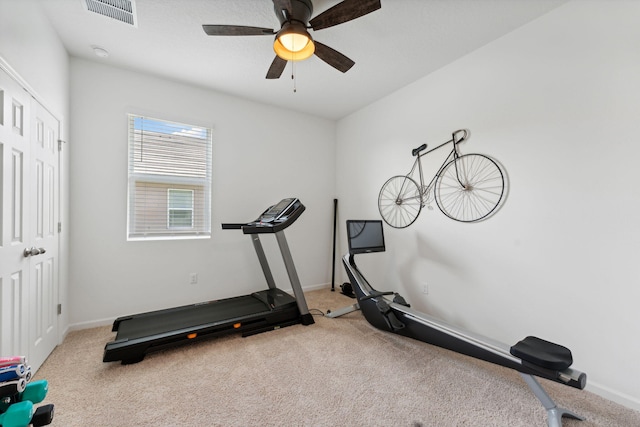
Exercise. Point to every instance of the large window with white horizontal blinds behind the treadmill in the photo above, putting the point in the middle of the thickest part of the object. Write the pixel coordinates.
(169, 180)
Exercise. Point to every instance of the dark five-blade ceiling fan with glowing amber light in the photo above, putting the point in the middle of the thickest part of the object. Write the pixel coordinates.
(293, 42)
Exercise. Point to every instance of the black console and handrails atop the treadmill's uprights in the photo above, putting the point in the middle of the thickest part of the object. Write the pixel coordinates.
(277, 217)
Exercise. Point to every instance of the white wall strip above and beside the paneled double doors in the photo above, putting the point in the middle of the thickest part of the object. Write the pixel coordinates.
(30, 46)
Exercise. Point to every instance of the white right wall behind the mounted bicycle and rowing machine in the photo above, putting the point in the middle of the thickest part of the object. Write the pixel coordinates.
(556, 102)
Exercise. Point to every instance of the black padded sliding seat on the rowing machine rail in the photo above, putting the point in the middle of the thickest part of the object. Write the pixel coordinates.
(543, 353)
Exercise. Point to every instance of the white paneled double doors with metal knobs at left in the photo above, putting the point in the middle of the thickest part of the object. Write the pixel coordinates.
(28, 213)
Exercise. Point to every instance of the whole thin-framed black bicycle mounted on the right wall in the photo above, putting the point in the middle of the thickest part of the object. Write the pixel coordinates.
(466, 187)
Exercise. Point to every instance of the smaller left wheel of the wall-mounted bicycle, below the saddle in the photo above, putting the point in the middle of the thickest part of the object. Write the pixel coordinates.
(400, 201)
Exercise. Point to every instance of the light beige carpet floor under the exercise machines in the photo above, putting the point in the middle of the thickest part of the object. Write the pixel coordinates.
(337, 372)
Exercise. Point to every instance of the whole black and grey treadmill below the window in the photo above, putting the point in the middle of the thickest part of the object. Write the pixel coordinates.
(258, 312)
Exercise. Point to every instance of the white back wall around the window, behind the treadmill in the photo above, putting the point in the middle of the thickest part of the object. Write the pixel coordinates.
(261, 154)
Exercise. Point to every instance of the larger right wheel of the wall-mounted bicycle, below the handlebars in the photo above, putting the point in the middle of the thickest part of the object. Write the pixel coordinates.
(469, 188)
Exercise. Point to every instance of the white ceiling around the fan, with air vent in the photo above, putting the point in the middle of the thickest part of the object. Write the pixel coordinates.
(392, 47)
